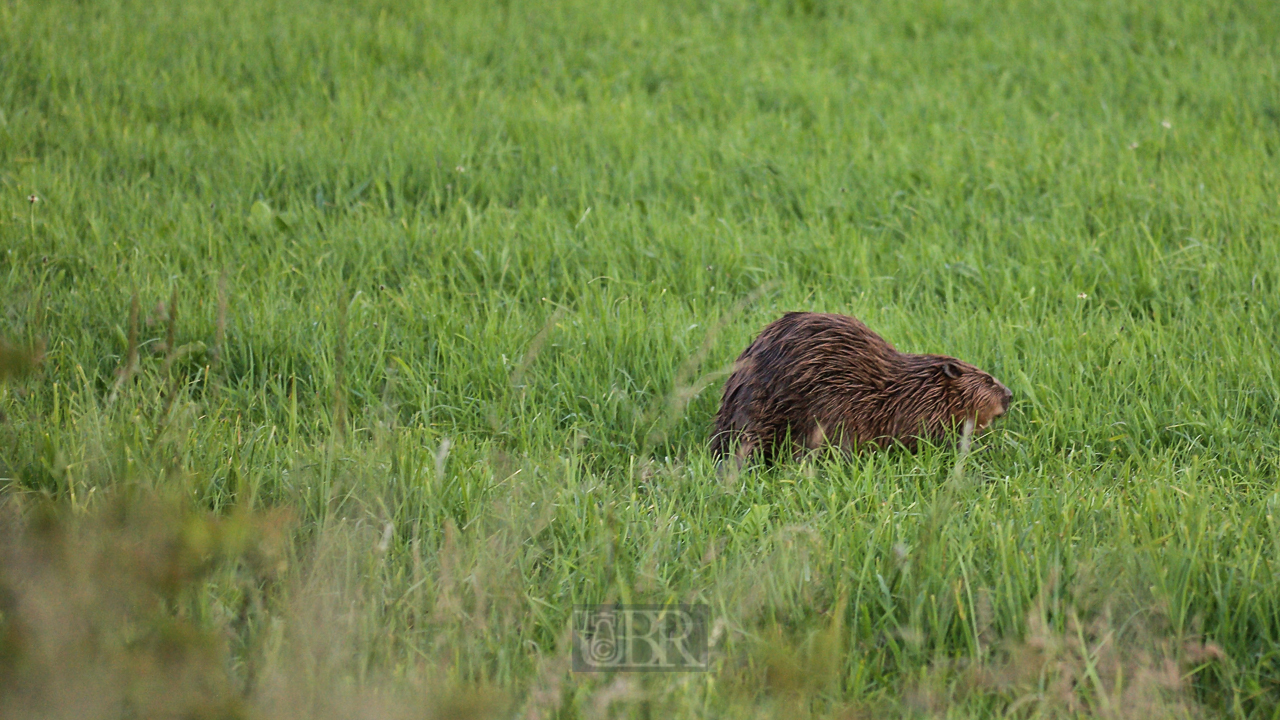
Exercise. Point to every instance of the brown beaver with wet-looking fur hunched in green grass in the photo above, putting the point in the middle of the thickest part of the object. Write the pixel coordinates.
(812, 379)
